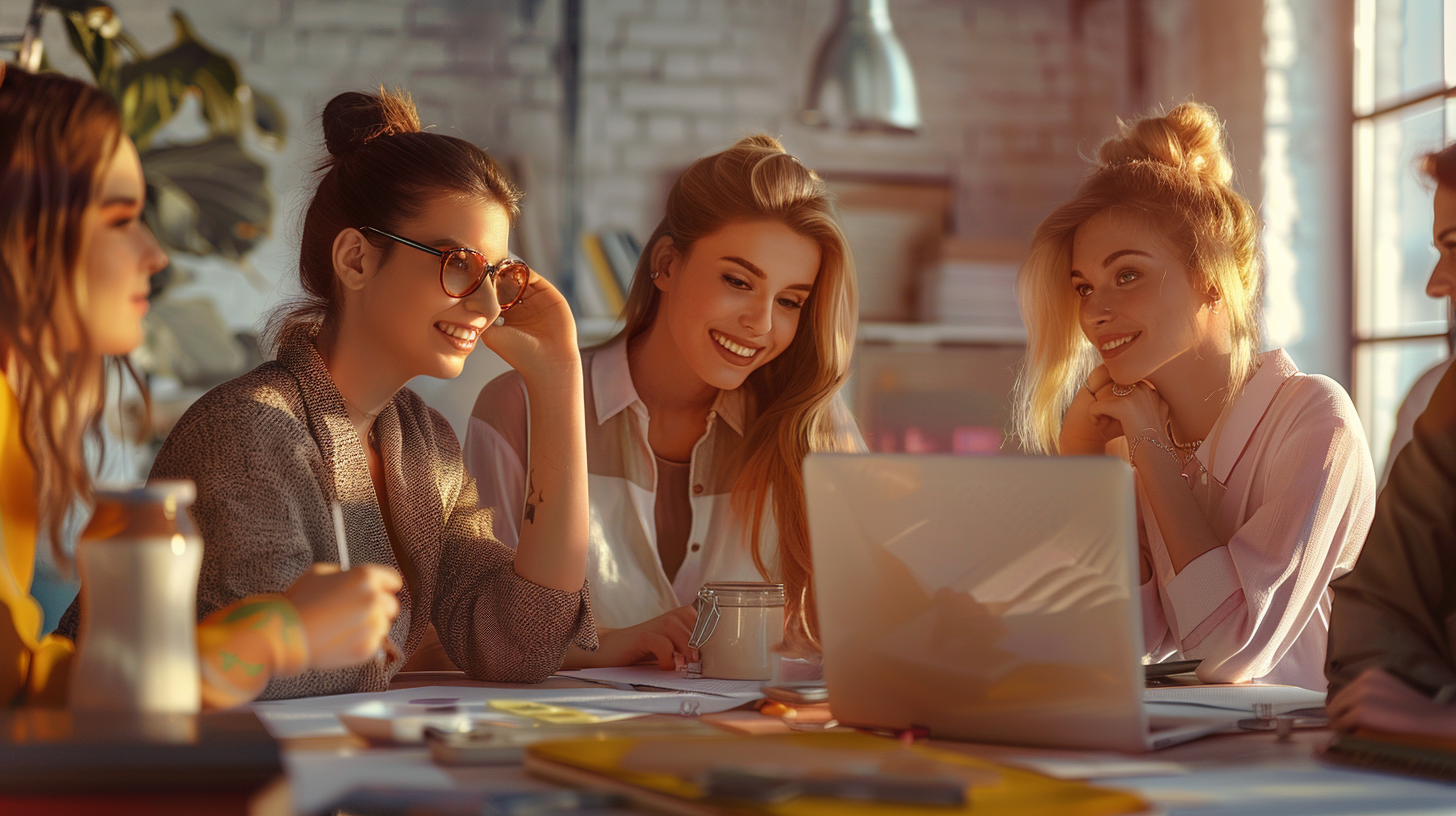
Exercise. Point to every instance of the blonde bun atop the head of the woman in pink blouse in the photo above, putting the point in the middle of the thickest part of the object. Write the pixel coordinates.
(1189, 139)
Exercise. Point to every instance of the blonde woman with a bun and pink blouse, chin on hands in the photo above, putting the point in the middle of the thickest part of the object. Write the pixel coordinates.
(1254, 480)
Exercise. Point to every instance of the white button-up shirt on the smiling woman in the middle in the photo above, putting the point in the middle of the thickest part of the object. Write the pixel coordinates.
(627, 578)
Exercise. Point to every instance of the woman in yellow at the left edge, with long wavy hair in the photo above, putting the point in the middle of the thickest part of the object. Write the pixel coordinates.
(75, 260)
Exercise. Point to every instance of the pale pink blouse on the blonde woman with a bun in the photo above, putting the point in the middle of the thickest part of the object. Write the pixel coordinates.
(1286, 482)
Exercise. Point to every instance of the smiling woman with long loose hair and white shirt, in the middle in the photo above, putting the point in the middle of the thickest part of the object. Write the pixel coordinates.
(700, 413)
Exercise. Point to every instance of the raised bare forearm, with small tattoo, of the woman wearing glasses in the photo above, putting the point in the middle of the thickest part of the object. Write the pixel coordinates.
(553, 549)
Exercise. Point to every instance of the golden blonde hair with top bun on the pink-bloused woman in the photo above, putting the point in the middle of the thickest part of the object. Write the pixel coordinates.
(1173, 173)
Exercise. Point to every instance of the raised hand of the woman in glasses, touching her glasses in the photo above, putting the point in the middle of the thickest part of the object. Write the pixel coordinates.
(538, 336)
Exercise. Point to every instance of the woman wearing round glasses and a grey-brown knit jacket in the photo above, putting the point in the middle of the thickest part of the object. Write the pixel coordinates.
(404, 267)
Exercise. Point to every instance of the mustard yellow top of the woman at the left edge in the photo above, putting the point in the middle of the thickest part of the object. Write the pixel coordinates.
(241, 646)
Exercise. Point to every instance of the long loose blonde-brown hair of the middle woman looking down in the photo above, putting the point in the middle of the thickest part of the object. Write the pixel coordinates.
(791, 399)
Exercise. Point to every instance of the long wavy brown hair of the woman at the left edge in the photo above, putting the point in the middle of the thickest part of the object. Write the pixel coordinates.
(58, 136)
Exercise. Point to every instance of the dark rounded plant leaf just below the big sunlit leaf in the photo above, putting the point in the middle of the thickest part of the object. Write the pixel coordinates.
(209, 199)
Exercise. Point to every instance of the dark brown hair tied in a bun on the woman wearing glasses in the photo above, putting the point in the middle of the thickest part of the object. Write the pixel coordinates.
(382, 171)
